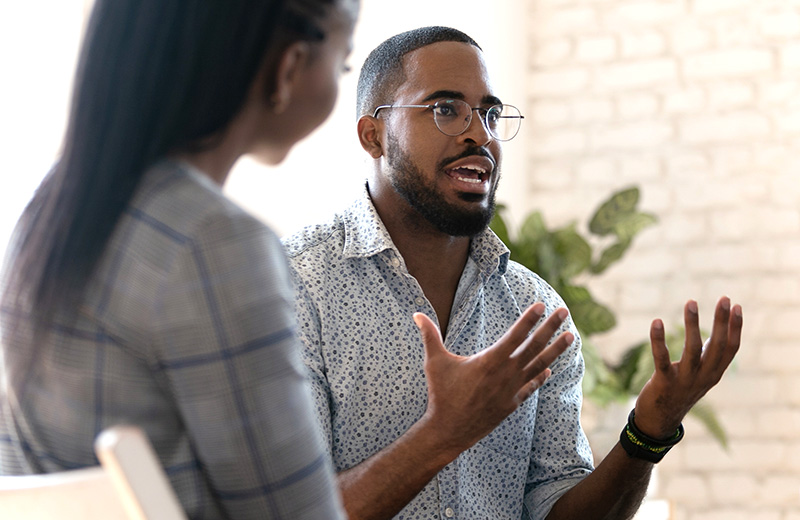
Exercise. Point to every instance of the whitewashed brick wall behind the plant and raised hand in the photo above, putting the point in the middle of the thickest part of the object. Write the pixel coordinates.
(698, 103)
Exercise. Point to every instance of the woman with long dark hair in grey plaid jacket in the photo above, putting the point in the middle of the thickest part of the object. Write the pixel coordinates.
(135, 292)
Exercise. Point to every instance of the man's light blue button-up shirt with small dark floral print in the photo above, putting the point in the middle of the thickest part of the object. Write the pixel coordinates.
(355, 299)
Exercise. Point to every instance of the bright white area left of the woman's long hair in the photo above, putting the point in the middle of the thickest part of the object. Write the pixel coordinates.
(38, 50)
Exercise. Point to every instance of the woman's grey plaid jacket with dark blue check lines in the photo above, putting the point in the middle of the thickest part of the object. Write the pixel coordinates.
(187, 330)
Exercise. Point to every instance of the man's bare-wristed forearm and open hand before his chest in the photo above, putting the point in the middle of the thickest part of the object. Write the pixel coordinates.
(467, 398)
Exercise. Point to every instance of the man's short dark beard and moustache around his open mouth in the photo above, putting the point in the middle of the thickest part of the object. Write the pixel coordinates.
(427, 200)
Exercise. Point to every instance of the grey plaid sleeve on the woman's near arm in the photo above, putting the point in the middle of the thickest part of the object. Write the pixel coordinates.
(227, 344)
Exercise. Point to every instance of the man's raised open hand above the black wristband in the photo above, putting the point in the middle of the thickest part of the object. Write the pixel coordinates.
(675, 387)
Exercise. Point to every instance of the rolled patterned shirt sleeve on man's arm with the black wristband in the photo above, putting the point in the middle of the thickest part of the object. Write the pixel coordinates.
(561, 456)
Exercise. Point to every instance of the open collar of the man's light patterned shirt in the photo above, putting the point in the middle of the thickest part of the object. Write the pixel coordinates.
(366, 235)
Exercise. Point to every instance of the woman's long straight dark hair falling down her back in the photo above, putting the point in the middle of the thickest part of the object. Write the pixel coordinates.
(153, 77)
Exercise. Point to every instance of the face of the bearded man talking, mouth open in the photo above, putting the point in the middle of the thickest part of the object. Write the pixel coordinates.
(450, 181)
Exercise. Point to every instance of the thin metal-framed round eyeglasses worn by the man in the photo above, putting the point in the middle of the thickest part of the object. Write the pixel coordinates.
(453, 117)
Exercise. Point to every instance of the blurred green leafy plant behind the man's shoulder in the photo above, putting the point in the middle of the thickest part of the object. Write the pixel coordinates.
(561, 256)
